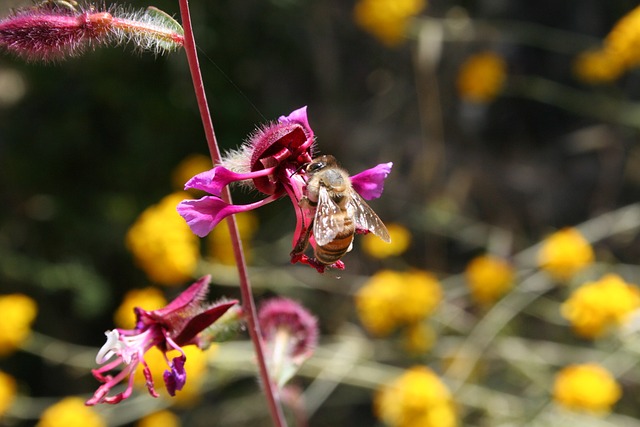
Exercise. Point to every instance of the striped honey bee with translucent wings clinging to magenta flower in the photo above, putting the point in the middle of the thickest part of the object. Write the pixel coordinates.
(339, 211)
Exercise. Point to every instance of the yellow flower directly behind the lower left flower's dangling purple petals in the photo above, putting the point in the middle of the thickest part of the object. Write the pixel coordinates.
(196, 366)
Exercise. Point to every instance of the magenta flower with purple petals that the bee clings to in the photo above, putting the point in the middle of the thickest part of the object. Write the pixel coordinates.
(271, 162)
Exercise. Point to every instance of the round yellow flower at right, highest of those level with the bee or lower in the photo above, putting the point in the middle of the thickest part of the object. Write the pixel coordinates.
(564, 253)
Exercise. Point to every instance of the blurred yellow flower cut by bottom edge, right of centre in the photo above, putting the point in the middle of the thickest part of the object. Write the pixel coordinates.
(416, 399)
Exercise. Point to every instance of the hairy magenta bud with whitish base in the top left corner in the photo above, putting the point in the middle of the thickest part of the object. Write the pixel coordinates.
(55, 30)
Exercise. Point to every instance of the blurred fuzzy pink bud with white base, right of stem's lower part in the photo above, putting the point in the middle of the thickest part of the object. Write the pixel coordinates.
(290, 333)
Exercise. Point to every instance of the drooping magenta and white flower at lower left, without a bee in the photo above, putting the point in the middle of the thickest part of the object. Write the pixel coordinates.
(170, 328)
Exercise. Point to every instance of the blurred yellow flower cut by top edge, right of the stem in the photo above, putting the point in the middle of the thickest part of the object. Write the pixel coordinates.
(387, 20)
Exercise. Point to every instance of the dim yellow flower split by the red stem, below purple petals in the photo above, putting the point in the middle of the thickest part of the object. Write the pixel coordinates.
(219, 240)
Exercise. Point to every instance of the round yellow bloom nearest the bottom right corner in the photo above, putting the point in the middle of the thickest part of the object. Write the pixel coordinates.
(587, 387)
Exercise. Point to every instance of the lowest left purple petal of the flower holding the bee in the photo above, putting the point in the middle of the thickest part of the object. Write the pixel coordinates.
(204, 214)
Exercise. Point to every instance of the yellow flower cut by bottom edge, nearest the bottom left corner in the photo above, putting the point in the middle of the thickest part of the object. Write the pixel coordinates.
(70, 412)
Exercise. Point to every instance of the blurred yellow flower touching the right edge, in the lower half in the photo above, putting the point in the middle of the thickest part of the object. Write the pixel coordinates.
(595, 307)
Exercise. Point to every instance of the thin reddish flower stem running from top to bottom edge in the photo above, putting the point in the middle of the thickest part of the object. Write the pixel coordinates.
(245, 286)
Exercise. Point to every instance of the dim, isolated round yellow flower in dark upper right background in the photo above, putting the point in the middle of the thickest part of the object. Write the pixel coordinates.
(481, 77)
